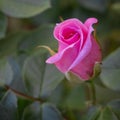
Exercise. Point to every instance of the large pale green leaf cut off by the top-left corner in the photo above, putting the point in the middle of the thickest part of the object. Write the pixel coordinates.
(23, 8)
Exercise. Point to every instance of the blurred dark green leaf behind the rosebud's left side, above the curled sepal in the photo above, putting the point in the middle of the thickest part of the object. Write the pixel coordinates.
(42, 36)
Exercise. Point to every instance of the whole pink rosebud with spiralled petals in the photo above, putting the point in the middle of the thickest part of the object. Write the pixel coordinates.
(78, 49)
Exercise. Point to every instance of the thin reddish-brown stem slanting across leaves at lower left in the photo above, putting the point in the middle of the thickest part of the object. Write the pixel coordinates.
(24, 95)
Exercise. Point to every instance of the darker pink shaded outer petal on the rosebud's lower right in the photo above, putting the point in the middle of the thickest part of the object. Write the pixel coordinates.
(84, 69)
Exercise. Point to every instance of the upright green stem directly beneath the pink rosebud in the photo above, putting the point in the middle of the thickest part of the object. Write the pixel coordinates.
(93, 92)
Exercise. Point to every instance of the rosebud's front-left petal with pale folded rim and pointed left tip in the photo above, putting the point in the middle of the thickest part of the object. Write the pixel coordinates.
(64, 59)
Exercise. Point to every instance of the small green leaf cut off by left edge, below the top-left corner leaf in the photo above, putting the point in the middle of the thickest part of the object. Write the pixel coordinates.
(3, 25)
